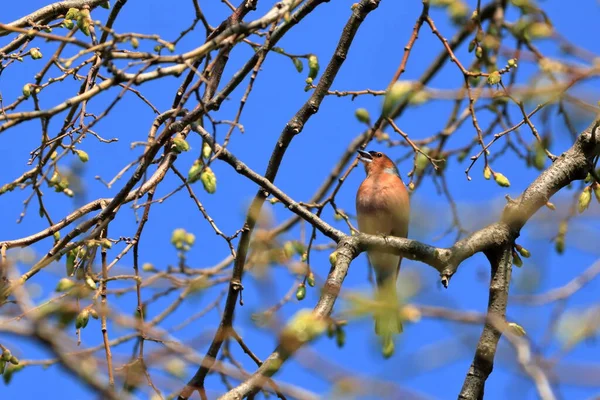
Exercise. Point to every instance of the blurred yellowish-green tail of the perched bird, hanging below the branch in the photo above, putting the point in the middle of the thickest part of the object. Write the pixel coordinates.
(388, 322)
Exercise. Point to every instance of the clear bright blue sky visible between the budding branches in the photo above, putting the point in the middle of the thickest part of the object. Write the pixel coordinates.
(278, 93)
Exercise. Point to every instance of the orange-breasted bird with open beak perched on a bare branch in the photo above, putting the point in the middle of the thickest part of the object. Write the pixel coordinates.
(383, 208)
